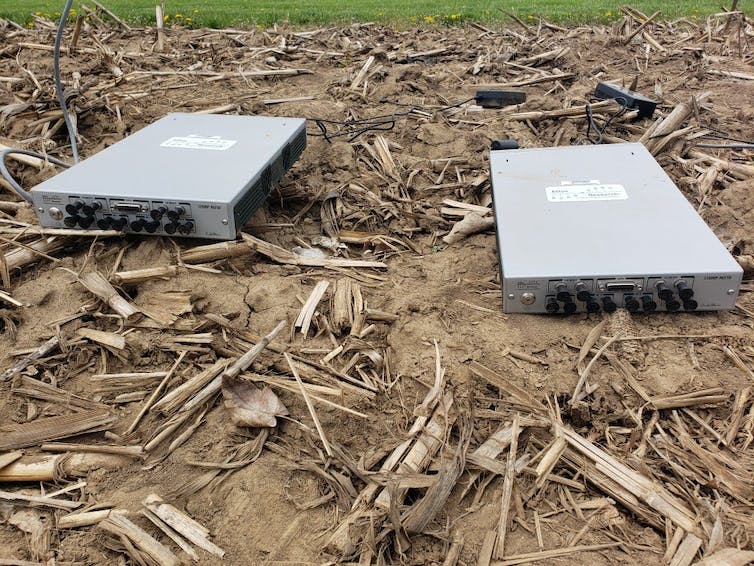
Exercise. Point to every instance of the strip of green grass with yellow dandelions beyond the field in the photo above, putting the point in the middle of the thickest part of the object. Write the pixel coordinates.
(227, 13)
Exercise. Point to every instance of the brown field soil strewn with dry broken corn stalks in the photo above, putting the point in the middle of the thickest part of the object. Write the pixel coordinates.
(379, 197)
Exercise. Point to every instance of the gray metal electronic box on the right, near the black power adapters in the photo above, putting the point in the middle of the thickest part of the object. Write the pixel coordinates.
(590, 228)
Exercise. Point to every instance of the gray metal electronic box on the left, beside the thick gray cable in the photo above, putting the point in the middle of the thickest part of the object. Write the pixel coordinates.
(196, 175)
